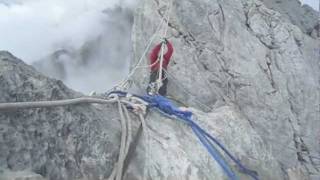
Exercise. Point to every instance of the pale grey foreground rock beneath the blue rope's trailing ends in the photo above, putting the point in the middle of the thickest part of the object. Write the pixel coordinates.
(173, 152)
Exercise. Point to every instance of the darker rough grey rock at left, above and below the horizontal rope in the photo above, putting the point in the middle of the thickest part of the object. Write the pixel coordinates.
(58, 143)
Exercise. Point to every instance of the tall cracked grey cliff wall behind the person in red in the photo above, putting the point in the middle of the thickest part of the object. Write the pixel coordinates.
(244, 55)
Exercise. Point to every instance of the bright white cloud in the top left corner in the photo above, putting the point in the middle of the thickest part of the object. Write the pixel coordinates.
(32, 29)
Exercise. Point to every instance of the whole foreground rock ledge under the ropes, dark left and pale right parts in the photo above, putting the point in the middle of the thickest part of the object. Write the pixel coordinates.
(81, 142)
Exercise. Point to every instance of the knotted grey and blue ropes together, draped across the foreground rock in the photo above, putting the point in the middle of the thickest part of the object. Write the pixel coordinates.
(138, 103)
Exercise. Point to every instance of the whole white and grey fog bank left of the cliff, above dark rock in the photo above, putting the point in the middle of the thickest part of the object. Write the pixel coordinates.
(85, 43)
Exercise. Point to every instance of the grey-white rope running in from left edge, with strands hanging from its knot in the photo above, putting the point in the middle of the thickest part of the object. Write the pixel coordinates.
(125, 120)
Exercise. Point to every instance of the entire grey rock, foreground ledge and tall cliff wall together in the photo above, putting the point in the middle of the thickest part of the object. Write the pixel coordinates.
(250, 77)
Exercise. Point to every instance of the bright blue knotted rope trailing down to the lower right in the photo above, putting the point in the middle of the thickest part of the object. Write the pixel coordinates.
(167, 108)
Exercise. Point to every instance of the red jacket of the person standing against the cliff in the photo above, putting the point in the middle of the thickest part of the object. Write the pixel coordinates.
(166, 57)
